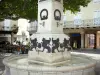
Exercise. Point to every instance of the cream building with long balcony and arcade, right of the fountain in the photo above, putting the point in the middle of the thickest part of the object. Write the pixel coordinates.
(84, 27)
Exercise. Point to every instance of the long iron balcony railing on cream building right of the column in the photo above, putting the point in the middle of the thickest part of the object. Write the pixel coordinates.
(82, 23)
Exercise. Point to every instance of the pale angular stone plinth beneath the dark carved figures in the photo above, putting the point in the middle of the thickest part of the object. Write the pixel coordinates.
(50, 59)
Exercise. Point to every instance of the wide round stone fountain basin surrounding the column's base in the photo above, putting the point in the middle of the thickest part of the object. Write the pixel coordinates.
(19, 65)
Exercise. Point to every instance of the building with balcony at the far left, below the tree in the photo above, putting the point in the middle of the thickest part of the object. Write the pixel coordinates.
(8, 29)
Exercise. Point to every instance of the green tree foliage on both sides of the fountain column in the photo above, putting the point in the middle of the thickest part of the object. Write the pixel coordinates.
(15, 9)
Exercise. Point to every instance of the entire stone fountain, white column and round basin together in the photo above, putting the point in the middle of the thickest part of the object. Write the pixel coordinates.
(50, 54)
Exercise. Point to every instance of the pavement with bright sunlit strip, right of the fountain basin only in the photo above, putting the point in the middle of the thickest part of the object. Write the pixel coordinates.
(92, 53)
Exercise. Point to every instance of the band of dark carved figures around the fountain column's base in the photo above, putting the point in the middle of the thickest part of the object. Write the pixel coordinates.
(50, 48)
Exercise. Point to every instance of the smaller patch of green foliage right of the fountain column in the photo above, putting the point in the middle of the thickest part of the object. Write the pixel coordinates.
(74, 5)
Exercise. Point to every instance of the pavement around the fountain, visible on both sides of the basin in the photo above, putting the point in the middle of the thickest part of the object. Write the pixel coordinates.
(94, 54)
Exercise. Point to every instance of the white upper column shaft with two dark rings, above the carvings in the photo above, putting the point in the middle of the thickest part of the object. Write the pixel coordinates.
(50, 16)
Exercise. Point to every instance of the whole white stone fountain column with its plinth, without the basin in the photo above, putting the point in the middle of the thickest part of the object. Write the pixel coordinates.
(50, 41)
